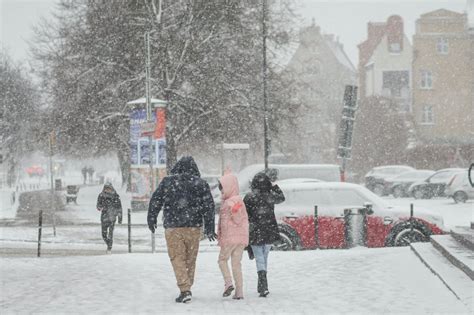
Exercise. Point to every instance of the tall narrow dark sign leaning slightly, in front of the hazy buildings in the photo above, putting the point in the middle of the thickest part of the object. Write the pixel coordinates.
(347, 122)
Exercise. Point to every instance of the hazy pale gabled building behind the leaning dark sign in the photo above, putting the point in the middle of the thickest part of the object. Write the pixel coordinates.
(319, 69)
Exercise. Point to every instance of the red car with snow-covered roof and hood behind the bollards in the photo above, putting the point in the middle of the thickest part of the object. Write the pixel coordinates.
(386, 226)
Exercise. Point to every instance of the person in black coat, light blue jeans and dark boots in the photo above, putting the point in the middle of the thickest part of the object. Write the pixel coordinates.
(263, 227)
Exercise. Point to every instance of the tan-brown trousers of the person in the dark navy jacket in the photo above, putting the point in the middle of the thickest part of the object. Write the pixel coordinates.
(183, 247)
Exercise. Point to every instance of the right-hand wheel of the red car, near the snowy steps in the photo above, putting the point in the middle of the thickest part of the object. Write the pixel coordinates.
(404, 234)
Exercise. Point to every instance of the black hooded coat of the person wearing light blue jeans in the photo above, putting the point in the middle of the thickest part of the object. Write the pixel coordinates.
(260, 204)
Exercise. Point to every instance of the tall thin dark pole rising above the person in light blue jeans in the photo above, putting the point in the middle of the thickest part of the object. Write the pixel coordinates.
(264, 72)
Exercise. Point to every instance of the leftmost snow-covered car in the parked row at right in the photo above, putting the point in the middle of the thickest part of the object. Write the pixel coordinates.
(375, 178)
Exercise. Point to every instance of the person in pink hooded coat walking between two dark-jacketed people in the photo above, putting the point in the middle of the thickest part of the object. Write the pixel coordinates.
(233, 234)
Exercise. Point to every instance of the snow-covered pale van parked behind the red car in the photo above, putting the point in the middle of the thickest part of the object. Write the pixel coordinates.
(322, 172)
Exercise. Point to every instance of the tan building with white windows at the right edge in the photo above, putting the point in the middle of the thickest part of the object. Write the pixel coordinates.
(443, 79)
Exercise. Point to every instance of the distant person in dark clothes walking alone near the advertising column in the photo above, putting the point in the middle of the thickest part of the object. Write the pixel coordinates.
(108, 203)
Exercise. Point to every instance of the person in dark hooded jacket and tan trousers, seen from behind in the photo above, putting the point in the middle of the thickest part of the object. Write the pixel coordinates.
(186, 201)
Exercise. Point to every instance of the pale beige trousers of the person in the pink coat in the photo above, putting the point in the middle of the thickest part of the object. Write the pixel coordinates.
(234, 252)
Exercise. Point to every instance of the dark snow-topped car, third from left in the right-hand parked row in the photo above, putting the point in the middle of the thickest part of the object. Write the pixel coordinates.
(434, 185)
